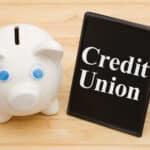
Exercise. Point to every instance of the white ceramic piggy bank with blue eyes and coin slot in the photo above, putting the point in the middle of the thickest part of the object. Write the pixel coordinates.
(30, 71)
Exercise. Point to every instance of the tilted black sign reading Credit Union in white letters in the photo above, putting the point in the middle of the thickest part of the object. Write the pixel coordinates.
(111, 78)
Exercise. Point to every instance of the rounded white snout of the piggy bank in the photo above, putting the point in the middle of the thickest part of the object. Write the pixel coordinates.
(23, 97)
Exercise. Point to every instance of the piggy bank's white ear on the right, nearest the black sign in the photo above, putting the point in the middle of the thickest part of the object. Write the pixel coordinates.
(51, 50)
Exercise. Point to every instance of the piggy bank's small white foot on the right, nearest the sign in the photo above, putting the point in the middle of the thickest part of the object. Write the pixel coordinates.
(52, 108)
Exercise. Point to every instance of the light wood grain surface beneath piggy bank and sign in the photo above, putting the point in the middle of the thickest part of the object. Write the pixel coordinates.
(63, 20)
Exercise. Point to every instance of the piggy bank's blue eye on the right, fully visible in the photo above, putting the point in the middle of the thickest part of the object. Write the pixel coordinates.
(38, 73)
